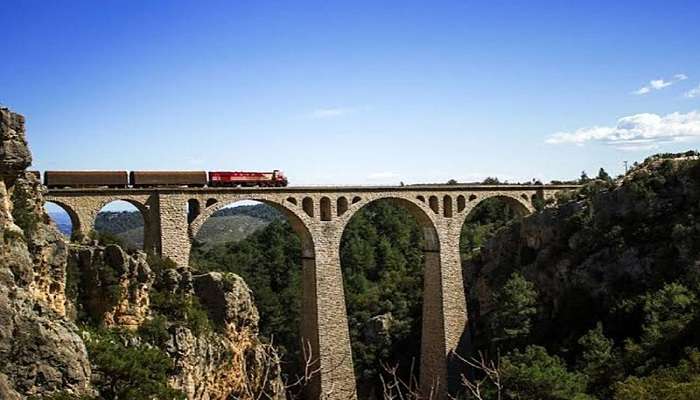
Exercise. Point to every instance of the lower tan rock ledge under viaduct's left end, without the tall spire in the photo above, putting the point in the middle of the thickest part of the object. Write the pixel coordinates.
(226, 360)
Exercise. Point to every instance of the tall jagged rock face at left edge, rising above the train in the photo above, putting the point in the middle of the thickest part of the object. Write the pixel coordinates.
(41, 351)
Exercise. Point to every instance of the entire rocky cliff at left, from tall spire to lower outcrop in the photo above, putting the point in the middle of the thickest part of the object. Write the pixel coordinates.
(72, 314)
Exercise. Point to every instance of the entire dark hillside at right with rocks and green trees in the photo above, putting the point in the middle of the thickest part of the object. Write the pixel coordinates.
(598, 296)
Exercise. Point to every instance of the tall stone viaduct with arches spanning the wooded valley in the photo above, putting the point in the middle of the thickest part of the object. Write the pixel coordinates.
(173, 216)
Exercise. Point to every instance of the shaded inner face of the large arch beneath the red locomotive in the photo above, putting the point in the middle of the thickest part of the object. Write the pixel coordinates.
(309, 328)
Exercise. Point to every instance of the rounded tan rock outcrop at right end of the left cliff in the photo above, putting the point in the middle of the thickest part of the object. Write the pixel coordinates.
(231, 362)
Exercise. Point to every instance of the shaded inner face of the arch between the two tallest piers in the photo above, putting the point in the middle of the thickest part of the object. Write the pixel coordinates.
(432, 347)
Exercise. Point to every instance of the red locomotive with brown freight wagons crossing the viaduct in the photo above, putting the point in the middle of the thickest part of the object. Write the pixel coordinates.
(147, 179)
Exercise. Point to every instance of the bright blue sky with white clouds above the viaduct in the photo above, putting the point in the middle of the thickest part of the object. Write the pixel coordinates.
(353, 93)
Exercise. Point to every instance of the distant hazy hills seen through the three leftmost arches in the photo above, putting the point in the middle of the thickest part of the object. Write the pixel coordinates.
(226, 225)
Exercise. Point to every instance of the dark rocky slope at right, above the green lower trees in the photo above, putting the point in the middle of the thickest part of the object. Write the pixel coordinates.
(591, 255)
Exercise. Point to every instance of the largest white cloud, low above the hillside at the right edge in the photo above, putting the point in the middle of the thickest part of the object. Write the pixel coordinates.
(635, 132)
